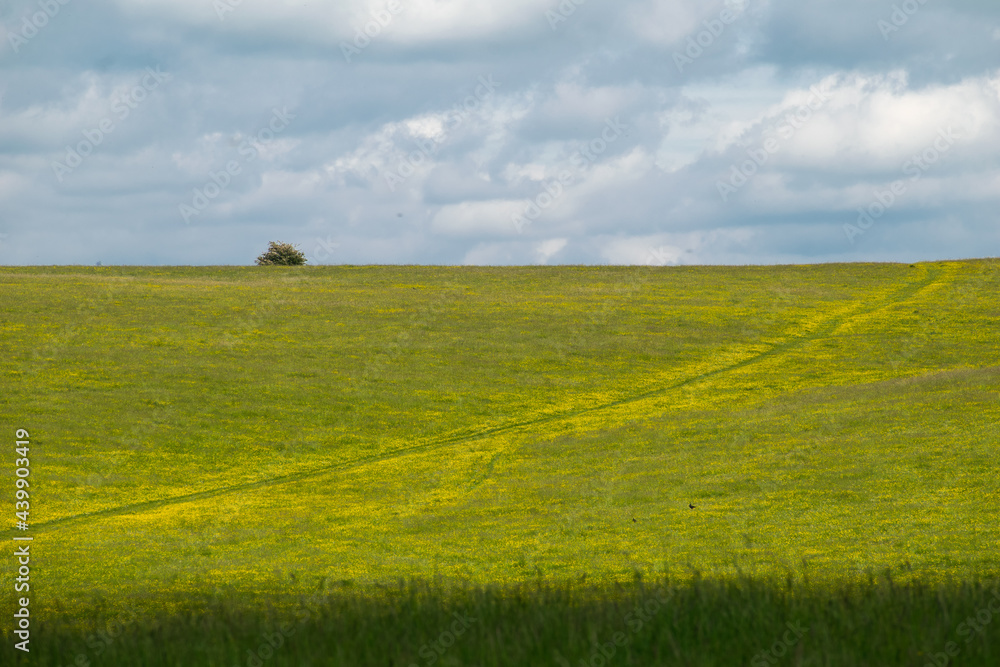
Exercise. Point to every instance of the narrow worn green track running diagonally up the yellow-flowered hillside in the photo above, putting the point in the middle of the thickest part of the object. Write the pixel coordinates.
(902, 294)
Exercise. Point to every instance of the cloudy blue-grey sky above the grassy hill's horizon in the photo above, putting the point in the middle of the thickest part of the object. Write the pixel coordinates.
(489, 132)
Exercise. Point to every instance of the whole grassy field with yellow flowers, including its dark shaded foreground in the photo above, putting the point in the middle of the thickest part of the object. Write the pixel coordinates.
(218, 443)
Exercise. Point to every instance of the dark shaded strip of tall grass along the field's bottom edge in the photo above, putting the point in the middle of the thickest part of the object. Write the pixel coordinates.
(422, 623)
